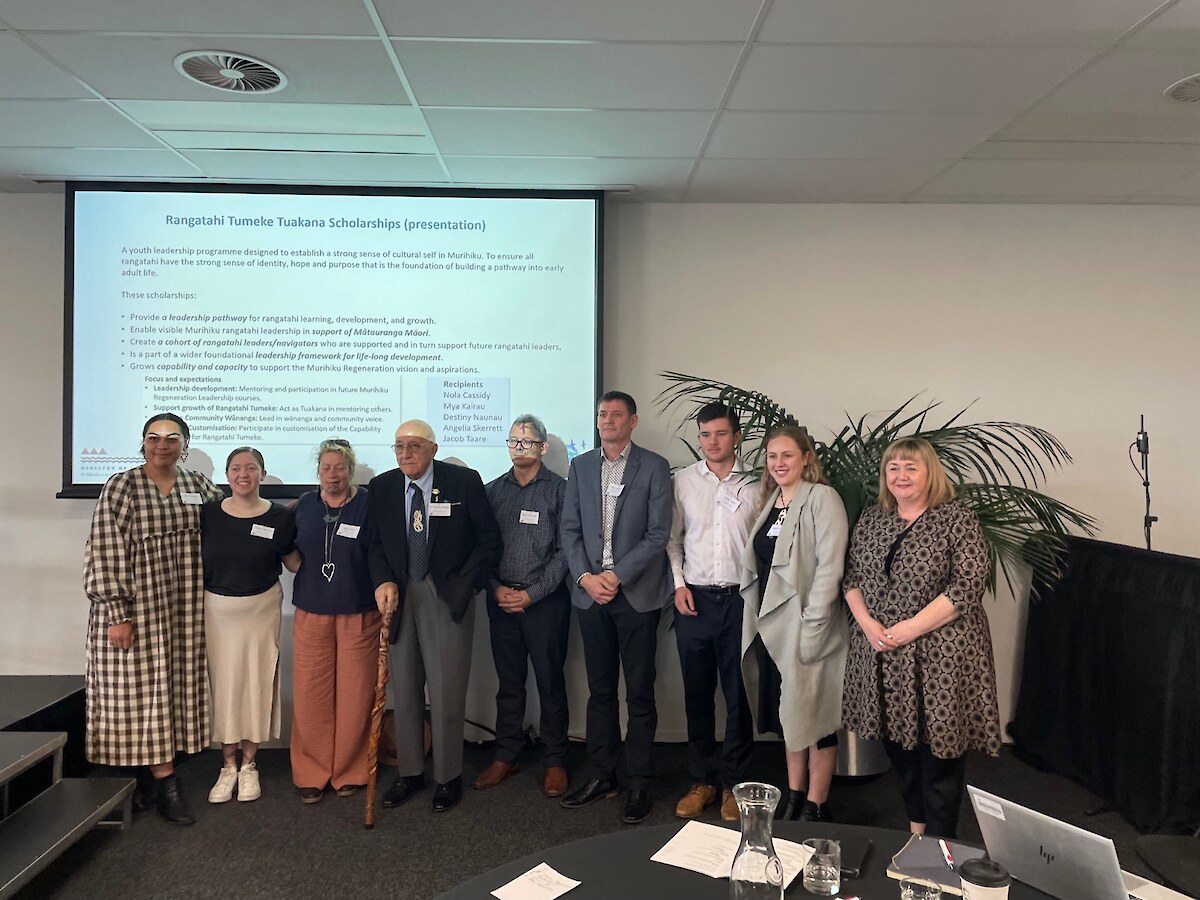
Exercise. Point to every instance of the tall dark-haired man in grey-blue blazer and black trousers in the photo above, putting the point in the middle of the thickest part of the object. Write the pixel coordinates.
(615, 530)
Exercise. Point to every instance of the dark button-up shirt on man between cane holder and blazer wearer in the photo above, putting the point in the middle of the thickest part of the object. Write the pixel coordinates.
(533, 555)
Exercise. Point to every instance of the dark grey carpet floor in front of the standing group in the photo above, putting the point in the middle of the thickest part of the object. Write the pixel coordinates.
(279, 848)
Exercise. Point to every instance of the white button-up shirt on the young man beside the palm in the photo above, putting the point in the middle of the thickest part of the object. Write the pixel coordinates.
(712, 525)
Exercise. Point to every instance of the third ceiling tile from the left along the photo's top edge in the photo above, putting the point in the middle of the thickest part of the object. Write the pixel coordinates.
(1067, 23)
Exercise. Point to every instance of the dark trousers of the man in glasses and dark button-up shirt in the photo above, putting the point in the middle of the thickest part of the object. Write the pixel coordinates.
(536, 637)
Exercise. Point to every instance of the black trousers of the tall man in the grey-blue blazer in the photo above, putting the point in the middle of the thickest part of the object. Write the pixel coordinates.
(616, 637)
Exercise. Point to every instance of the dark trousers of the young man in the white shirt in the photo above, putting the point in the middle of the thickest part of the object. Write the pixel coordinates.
(710, 647)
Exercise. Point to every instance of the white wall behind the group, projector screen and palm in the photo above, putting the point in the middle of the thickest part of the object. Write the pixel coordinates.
(1073, 319)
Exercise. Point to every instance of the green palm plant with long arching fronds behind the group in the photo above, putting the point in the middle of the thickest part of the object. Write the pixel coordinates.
(997, 466)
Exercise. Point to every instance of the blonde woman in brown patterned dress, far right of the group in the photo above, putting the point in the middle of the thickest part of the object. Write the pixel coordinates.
(921, 675)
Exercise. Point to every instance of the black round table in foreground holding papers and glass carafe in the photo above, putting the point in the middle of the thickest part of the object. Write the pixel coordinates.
(619, 866)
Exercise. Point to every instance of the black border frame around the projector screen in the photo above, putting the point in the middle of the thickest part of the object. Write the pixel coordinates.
(71, 490)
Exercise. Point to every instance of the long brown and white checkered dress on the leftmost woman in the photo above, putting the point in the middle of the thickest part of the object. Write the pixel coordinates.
(143, 563)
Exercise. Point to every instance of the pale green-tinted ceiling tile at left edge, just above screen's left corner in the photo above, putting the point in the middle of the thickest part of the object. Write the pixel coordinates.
(94, 165)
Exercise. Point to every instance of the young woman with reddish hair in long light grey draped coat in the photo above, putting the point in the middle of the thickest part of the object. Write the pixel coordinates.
(795, 629)
